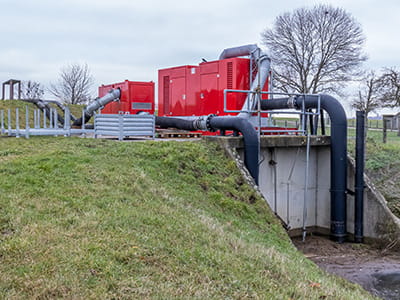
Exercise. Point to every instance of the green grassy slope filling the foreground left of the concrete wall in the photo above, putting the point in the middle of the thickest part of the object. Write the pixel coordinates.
(97, 219)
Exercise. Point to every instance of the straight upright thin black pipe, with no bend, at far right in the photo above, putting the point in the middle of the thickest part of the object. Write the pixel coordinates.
(359, 178)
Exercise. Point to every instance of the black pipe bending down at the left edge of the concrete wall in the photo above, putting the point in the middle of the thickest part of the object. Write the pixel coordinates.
(250, 137)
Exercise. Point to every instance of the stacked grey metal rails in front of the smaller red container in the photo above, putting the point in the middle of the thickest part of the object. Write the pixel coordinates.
(124, 125)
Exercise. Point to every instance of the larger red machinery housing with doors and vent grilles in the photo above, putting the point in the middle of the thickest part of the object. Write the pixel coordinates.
(199, 90)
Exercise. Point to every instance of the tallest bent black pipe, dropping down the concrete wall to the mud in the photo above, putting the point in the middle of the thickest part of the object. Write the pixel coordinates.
(338, 153)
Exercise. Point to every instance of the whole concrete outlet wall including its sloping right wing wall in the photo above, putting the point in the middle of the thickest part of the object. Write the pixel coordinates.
(282, 183)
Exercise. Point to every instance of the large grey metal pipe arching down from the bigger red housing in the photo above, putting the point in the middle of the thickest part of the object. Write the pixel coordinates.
(264, 66)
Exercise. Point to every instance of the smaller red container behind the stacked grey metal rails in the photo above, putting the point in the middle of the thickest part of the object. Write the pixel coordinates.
(136, 97)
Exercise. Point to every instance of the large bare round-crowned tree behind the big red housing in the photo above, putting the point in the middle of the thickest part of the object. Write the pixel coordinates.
(315, 50)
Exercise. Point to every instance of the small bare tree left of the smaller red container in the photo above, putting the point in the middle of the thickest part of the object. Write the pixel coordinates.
(74, 84)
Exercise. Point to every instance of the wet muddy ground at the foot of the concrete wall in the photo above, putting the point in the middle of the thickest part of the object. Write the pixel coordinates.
(376, 270)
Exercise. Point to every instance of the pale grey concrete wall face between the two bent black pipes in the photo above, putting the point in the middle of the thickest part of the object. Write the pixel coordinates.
(287, 195)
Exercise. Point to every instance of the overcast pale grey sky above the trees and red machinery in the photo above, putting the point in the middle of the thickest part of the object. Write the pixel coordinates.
(130, 39)
